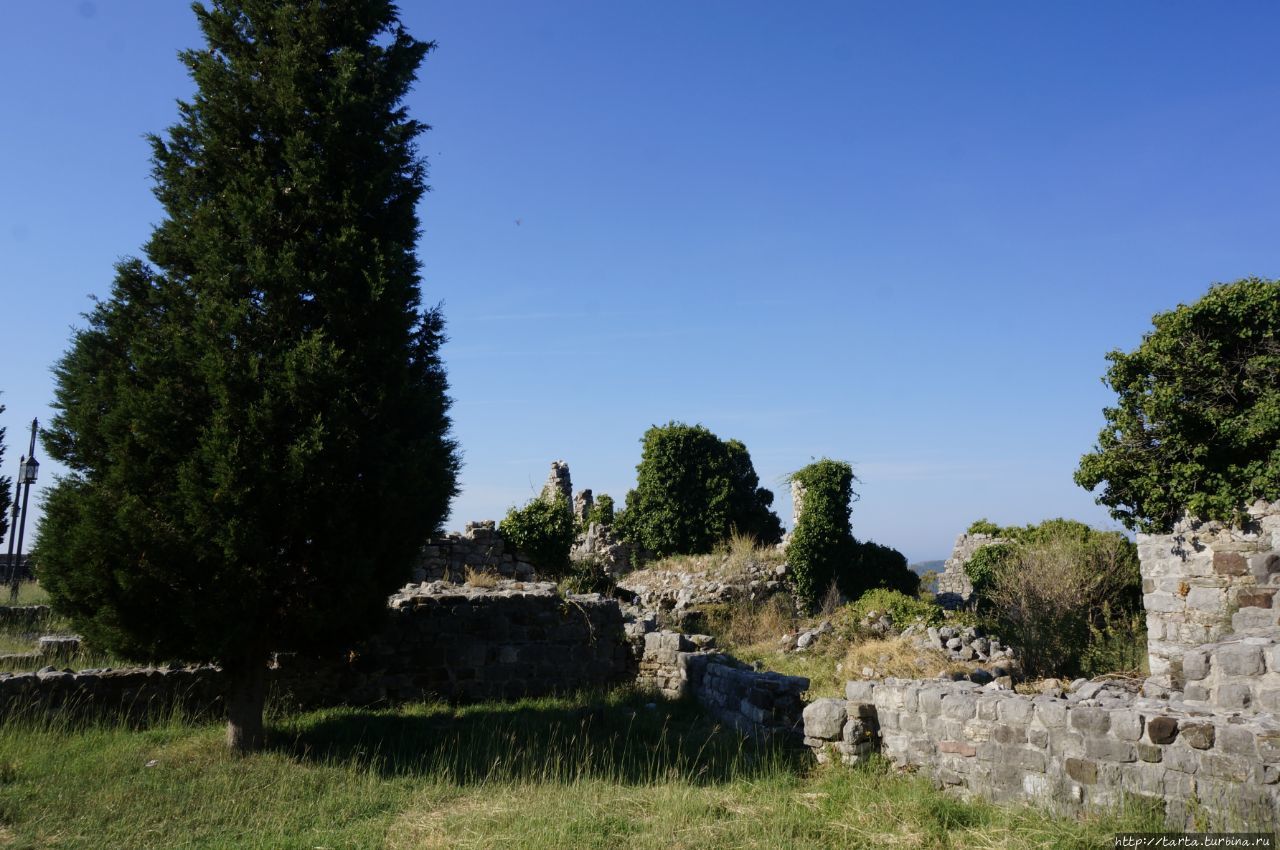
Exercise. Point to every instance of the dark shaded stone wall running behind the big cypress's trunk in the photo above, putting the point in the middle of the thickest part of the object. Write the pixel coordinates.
(441, 642)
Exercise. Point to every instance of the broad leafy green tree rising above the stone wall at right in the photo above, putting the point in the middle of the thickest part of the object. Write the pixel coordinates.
(1197, 422)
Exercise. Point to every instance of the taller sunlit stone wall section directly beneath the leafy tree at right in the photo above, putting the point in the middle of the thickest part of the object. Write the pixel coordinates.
(1206, 582)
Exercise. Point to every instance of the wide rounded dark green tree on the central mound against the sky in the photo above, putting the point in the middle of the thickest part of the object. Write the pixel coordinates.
(693, 492)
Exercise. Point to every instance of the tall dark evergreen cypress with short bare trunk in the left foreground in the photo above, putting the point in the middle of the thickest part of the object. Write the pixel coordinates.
(257, 419)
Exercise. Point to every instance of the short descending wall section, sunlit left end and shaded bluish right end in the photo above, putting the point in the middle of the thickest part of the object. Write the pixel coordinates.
(760, 705)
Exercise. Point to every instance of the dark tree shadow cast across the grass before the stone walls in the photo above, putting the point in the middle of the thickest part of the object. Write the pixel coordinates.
(628, 741)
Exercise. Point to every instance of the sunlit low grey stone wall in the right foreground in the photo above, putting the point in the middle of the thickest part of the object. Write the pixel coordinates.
(1068, 755)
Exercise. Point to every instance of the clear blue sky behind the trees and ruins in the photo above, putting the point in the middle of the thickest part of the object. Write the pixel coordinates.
(903, 235)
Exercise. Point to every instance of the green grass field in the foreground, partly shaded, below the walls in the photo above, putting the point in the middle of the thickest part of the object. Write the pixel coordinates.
(588, 773)
